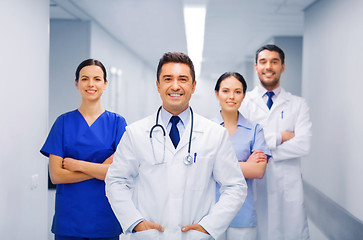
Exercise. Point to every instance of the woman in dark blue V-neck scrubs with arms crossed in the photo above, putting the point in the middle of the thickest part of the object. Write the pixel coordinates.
(80, 147)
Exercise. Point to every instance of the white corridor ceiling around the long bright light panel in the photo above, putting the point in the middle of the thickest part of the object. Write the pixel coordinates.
(234, 29)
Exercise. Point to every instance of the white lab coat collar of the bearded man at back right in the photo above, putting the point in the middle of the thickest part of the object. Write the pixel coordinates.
(283, 97)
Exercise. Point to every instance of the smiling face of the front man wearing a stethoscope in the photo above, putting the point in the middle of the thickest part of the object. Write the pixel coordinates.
(175, 87)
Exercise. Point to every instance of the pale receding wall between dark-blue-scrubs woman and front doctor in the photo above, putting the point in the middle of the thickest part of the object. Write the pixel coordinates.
(134, 83)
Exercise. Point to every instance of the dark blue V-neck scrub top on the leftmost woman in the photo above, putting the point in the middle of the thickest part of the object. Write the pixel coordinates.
(82, 209)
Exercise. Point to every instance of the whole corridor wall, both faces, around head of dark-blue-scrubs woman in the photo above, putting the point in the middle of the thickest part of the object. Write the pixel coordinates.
(72, 41)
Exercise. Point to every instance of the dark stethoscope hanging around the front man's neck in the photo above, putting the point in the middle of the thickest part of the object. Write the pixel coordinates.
(188, 159)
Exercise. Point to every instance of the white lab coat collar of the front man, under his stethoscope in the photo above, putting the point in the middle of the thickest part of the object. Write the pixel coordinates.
(184, 139)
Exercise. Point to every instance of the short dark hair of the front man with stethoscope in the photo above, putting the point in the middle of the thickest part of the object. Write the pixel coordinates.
(175, 57)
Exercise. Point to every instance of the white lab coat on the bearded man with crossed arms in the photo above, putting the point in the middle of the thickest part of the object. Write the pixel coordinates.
(280, 200)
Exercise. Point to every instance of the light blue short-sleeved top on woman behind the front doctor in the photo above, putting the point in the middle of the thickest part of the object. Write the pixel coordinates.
(248, 138)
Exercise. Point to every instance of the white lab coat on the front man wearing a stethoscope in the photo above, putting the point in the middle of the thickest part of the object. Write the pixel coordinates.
(173, 194)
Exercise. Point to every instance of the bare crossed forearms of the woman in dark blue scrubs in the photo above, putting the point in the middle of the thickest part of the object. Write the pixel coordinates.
(69, 170)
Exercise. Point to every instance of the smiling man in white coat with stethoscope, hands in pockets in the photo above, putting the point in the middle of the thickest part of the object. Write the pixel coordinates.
(162, 182)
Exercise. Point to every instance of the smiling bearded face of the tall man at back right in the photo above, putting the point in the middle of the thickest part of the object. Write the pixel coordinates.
(269, 68)
